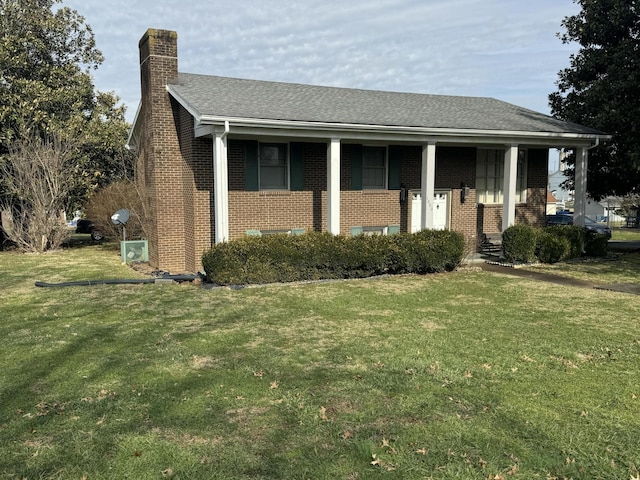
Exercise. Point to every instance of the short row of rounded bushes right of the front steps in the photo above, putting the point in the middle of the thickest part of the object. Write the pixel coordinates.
(522, 243)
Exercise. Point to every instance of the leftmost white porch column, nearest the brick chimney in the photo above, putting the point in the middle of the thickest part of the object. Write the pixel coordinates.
(220, 187)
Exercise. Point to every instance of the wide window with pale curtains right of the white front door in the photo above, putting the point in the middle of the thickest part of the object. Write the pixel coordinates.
(490, 176)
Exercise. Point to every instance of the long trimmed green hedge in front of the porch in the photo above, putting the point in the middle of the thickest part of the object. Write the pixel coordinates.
(315, 256)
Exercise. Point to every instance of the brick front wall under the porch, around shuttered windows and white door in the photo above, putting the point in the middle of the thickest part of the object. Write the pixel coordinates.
(306, 209)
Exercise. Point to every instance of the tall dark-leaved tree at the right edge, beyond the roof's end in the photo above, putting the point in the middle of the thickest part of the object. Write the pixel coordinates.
(601, 89)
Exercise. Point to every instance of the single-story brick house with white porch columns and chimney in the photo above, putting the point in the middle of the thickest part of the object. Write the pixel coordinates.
(221, 158)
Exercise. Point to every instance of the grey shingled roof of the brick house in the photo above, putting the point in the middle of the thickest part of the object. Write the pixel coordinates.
(214, 96)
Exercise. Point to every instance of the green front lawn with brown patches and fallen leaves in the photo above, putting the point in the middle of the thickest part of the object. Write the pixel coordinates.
(464, 375)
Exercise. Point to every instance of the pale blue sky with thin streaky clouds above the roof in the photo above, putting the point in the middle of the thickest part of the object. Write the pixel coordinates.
(505, 49)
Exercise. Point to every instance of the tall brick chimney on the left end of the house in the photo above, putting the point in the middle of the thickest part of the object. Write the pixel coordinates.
(160, 159)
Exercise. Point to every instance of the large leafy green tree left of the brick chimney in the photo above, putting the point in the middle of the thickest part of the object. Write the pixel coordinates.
(46, 88)
